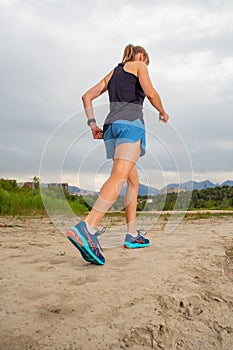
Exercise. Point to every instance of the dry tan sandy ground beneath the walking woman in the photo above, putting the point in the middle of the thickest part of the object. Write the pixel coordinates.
(175, 294)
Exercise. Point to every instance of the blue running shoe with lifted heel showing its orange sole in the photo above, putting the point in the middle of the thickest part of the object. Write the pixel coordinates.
(86, 243)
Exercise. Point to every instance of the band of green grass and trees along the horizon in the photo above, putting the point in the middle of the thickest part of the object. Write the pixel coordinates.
(27, 201)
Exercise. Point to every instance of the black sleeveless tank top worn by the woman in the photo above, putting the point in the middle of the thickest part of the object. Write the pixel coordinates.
(126, 96)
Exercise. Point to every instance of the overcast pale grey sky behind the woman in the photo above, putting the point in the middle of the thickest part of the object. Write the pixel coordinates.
(53, 51)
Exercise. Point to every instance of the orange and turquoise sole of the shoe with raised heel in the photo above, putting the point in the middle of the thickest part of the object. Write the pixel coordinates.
(82, 245)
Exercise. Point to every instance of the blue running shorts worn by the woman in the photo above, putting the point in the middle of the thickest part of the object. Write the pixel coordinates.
(123, 131)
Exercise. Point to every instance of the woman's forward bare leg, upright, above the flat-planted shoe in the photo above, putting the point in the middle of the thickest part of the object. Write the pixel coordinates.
(131, 200)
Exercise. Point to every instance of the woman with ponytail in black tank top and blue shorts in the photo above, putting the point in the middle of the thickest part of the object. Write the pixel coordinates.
(124, 135)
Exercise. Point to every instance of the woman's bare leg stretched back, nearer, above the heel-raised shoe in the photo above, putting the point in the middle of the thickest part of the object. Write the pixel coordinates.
(126, 156)
